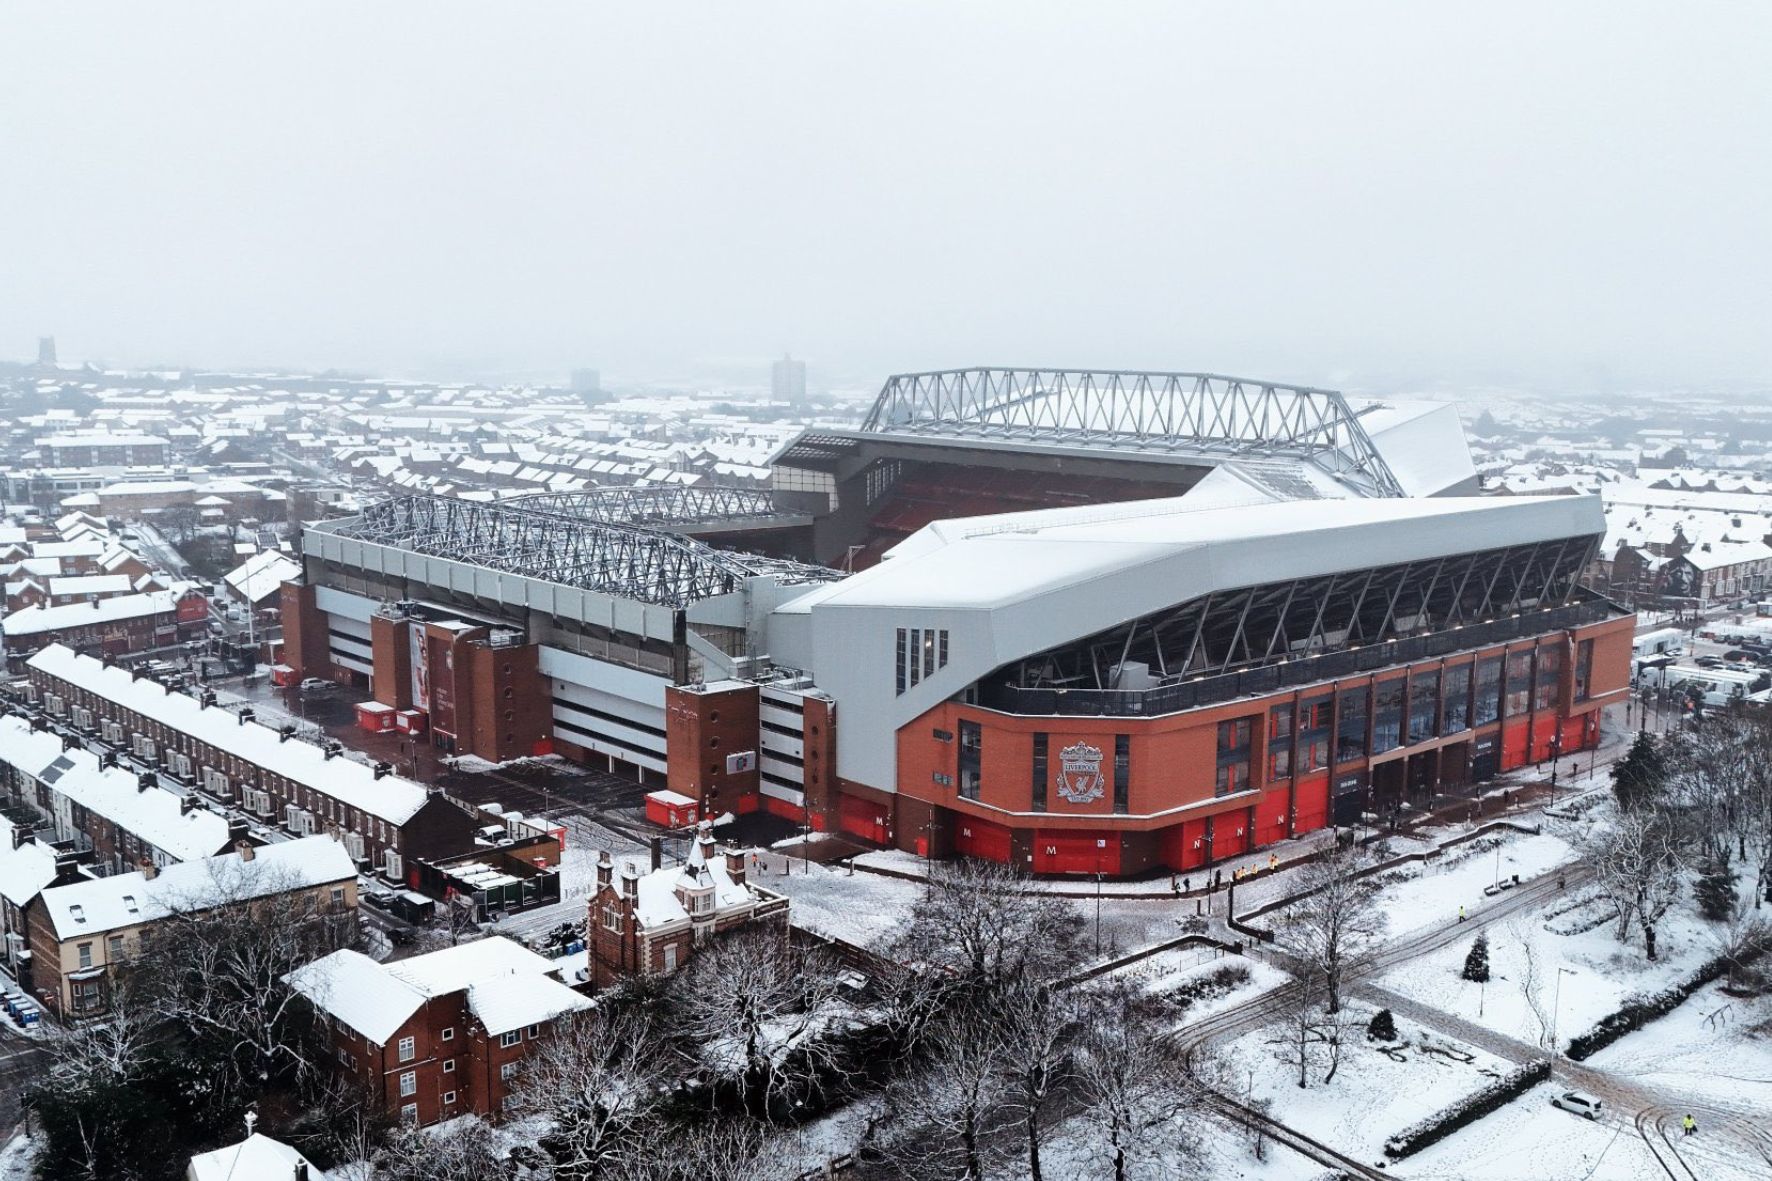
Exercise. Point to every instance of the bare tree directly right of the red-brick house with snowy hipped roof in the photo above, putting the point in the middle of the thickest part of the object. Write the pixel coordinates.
(598, 1086)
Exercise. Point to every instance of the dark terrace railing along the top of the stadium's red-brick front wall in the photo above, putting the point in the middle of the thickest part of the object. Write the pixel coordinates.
(1211, 691)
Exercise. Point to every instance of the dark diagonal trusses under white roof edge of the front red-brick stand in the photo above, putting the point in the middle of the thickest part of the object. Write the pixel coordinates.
(1264, 625)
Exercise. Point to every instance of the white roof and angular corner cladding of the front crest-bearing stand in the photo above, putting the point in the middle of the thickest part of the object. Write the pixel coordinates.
(1006, 588)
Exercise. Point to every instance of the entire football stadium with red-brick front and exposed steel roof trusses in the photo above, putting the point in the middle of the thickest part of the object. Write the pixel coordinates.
(1076, 622)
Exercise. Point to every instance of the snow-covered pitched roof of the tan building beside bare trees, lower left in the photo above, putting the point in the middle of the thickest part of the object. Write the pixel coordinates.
(132, 900)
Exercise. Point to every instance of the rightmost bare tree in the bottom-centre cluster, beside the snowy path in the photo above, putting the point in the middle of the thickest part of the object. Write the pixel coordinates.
(1131, 1084)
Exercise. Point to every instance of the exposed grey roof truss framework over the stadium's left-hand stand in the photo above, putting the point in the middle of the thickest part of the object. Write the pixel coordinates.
(630, 561)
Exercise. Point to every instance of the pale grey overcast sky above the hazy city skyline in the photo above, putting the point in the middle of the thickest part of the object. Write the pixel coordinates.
(1321, 192)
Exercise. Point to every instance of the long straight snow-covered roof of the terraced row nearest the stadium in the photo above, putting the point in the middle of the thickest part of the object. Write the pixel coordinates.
(354, 785)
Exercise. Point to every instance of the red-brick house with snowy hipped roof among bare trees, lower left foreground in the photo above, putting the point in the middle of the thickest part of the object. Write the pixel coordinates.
(442, 1035)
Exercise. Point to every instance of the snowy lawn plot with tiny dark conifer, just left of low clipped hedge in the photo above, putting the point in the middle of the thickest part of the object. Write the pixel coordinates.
(1374, 1095)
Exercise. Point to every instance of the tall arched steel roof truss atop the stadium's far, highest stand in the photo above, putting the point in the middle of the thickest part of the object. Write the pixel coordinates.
(1185, 414)
